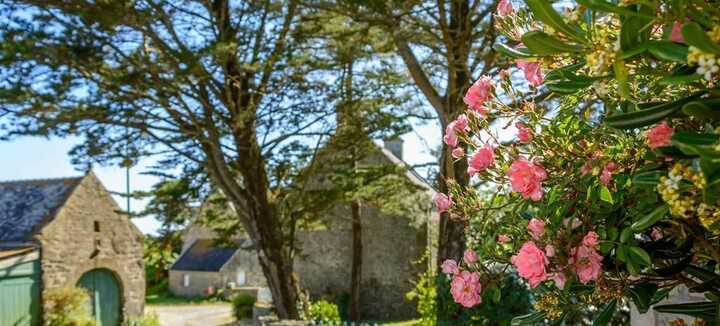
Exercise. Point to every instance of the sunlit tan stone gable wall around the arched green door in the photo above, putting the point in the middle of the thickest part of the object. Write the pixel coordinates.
(71, 245)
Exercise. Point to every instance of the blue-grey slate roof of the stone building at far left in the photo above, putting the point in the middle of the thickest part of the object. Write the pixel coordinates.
(24, 205)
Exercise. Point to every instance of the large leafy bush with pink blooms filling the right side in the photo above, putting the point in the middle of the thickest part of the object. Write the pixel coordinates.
(609, 190)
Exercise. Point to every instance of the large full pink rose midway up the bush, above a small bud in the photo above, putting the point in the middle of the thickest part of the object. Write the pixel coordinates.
(526, 178)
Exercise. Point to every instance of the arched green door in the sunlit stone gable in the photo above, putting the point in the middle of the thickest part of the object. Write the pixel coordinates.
(104, 296)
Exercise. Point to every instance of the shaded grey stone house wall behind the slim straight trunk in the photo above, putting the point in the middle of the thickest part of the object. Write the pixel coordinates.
(391, 246)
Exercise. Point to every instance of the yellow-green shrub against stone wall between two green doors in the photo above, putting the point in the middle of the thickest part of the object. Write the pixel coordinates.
(67, 307)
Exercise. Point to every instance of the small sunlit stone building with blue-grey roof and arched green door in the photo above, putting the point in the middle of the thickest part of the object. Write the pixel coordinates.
(68, 232)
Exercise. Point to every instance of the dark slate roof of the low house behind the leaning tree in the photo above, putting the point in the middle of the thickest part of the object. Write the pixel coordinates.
(204, 256)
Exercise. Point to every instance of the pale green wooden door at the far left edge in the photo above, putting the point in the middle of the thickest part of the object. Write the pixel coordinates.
(20, 294)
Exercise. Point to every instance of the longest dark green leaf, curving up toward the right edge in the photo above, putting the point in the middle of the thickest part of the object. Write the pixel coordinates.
(648, 116)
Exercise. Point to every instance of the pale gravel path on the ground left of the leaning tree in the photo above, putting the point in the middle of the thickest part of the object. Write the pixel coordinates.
(193, 315)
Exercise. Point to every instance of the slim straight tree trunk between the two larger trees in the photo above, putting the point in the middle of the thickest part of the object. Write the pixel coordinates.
(356, 278)
